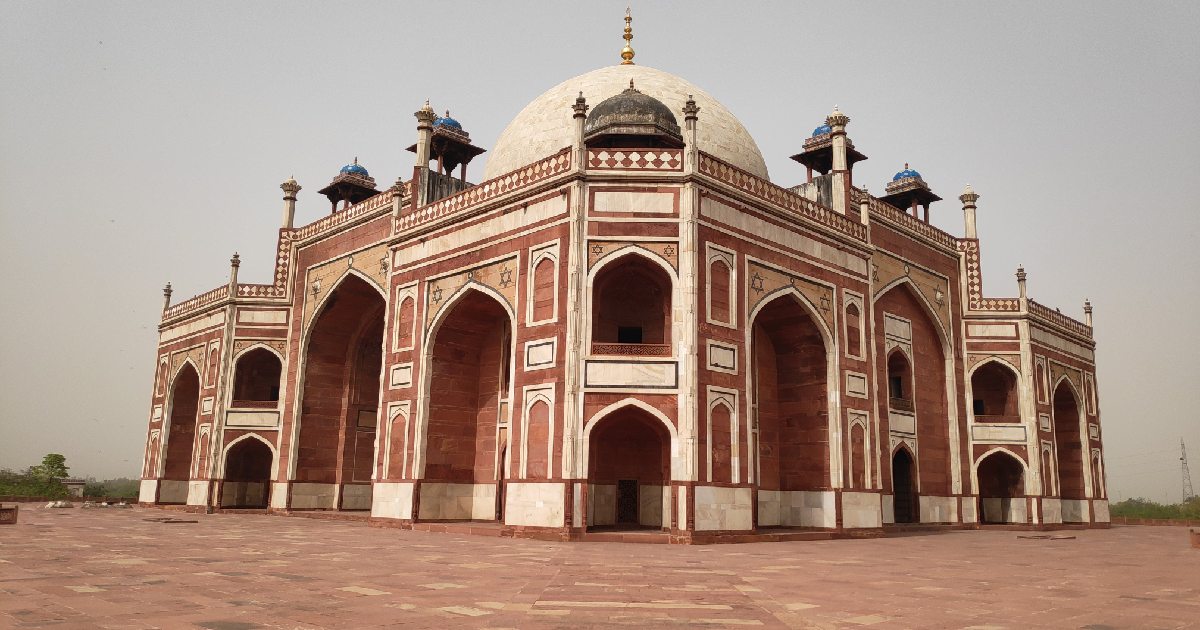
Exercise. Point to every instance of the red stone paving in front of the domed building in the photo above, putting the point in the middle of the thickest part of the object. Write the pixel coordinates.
(107, 568)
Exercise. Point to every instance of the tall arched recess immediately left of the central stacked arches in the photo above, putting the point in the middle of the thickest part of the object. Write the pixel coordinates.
(470, 389)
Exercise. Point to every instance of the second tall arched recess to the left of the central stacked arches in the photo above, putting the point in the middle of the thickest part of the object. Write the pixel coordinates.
(335, 452)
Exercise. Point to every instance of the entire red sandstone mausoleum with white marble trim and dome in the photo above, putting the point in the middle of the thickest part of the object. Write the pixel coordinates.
(628, 325)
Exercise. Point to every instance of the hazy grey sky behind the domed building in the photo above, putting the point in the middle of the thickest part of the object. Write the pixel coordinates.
(145, 142)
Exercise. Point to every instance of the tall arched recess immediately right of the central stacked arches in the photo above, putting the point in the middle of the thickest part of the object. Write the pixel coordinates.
(789, 363)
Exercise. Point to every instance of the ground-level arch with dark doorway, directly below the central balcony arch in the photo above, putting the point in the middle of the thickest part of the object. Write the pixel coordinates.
(629, 471)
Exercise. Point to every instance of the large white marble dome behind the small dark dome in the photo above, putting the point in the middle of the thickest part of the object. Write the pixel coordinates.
(547, 124)
